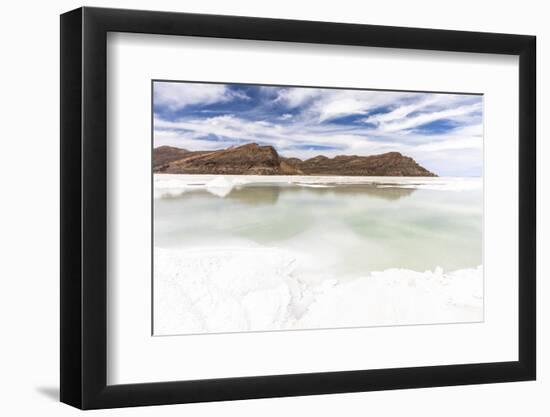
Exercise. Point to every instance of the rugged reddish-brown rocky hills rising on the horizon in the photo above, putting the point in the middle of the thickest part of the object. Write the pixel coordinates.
(252, 159)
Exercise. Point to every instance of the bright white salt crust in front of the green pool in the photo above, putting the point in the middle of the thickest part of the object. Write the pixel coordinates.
(208, 290)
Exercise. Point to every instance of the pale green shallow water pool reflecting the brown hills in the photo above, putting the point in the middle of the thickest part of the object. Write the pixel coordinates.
(352, 229)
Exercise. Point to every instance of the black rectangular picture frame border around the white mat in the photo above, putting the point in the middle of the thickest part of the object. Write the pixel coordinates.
(84, 207)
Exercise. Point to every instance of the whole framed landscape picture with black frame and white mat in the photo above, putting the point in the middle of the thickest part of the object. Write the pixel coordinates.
(258, 208)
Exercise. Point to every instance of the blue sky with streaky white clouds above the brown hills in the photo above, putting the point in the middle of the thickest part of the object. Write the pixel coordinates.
(442, 132)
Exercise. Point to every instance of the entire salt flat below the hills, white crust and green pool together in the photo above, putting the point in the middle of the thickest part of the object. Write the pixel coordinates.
(260, 253)
